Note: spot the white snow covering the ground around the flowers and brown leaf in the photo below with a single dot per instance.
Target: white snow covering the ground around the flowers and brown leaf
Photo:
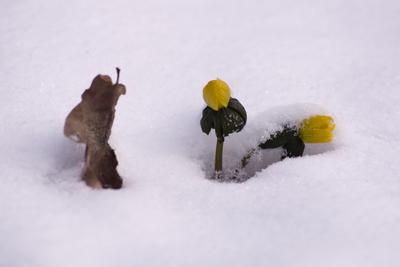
(338, 208)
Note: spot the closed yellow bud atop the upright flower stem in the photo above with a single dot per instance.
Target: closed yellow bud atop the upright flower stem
(217, 94)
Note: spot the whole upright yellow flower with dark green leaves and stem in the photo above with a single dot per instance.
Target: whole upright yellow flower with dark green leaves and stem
(224, 114)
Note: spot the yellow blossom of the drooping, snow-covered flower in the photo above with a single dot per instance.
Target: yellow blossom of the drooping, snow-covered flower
(317, 129)
